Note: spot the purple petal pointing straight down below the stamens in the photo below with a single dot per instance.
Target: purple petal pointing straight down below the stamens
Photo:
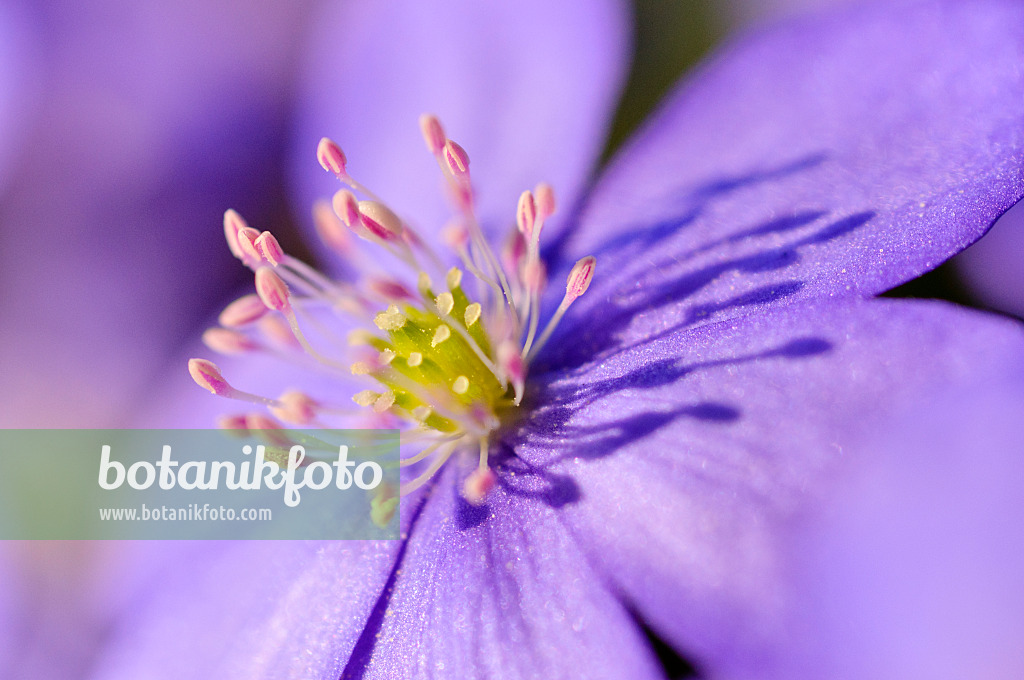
(500, 591)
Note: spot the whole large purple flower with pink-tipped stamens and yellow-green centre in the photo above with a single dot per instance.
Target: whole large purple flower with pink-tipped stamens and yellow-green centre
(661, 414)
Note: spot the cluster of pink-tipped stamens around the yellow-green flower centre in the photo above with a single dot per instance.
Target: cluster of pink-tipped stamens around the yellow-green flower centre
(450, 369)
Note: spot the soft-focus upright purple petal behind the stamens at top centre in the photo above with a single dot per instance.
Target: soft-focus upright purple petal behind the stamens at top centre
(528, 89)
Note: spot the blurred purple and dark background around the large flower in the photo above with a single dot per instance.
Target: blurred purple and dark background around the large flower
(127, 129)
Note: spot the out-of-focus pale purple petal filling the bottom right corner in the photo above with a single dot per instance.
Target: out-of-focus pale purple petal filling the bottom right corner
(915, 569)
